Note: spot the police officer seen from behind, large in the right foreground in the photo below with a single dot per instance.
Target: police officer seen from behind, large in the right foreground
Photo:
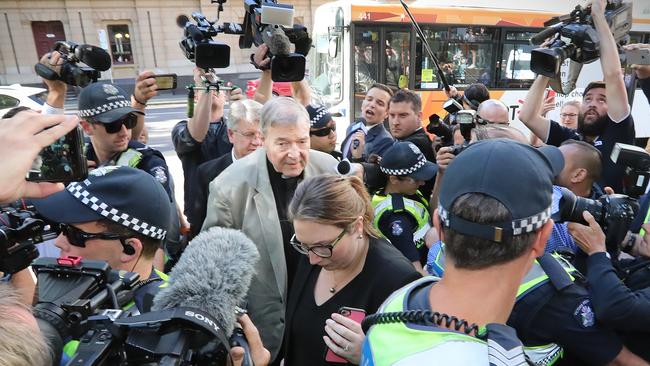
(493, 229)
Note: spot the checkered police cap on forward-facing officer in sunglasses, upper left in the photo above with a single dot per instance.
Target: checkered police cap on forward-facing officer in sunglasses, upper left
(104, 103)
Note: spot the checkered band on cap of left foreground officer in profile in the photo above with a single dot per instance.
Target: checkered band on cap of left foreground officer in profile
(106, 210)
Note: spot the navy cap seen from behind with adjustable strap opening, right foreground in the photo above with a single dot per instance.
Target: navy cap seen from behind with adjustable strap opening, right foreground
(515, 174)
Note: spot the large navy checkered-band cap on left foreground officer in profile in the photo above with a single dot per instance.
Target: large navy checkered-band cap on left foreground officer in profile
(127, 196)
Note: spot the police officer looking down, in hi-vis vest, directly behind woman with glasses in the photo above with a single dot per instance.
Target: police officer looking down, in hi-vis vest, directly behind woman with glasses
(401, 212)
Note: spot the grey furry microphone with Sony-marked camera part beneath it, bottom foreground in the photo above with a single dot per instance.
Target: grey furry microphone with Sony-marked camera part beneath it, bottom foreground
(194, 316)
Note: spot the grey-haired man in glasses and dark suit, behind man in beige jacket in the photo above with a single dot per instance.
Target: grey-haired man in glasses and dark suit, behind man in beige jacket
(245, 136)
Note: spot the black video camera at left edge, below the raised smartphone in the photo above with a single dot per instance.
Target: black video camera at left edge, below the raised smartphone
(20, 230)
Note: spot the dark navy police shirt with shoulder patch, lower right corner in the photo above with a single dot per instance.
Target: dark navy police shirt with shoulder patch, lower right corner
(568, 319)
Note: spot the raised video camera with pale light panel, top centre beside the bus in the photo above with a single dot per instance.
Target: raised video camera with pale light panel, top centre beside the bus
(271, 23)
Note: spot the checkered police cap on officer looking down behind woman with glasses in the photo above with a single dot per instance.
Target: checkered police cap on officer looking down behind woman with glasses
(404, 159)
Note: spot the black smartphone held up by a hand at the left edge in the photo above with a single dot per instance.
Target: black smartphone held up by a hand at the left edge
(62, 161)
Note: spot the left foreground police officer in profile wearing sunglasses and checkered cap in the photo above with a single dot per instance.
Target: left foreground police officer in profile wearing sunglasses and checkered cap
(119, 215)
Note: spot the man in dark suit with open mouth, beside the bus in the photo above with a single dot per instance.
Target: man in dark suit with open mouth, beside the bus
(371, 134)
